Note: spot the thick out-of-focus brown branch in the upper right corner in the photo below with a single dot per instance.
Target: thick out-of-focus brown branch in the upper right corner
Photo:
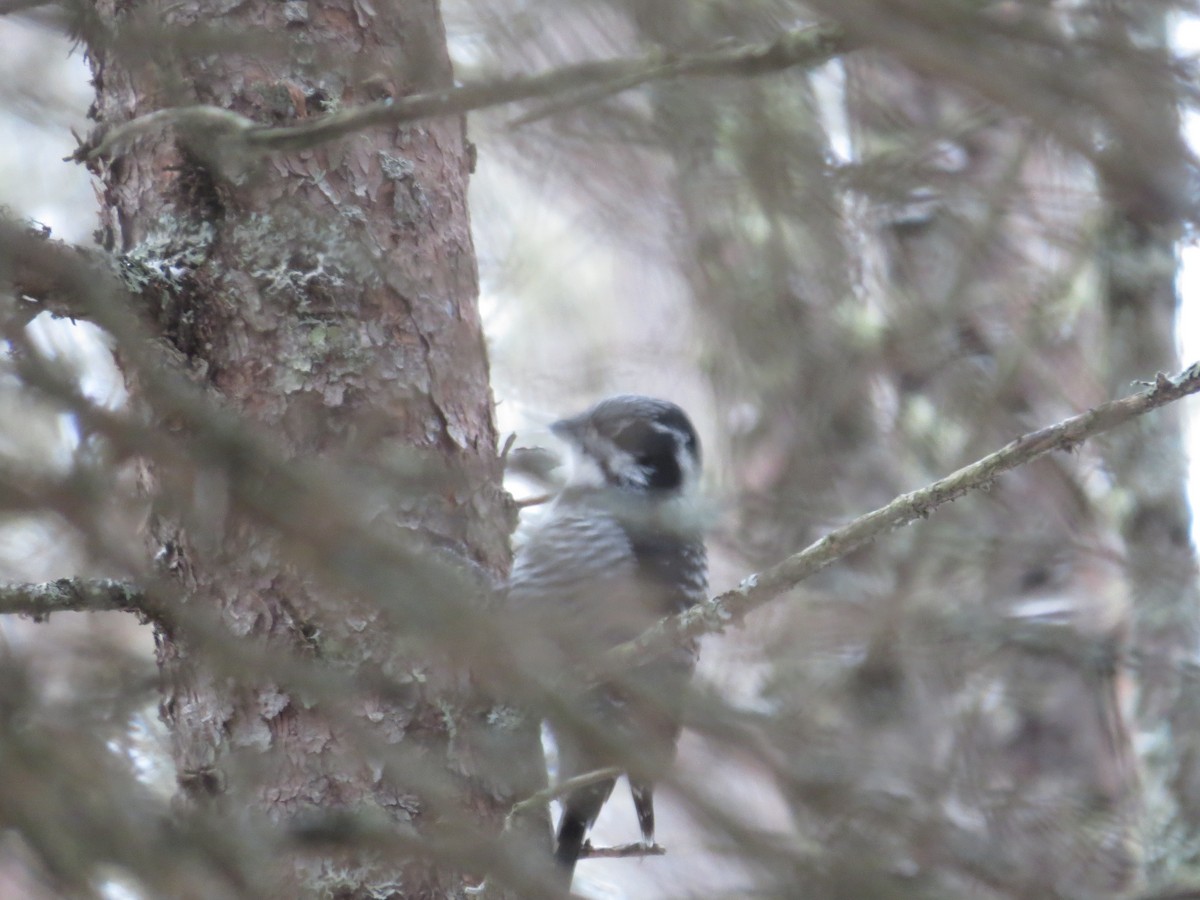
(1101, 95)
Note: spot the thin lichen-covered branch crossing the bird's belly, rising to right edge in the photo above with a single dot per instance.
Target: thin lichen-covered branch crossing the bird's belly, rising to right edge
(759, 590)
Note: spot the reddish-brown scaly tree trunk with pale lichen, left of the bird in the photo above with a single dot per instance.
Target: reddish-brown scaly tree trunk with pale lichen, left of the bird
(329, 298)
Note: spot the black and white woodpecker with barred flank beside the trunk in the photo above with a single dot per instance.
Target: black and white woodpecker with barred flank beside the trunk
(619, 549)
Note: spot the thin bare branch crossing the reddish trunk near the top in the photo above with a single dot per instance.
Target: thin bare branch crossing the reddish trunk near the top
(807, 47)
